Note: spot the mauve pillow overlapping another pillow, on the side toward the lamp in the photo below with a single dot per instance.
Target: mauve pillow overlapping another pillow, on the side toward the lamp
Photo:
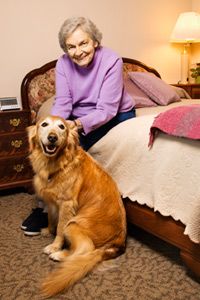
(159, 91)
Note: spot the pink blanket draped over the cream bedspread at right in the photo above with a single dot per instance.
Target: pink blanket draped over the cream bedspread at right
(182, 121)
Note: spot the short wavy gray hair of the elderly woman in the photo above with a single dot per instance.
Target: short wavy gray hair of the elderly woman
(71, 24)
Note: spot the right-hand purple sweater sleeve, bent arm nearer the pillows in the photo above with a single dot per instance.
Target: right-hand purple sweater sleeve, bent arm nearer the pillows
(109, 99)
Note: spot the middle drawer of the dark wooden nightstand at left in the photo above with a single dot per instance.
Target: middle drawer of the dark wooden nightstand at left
(15, 143)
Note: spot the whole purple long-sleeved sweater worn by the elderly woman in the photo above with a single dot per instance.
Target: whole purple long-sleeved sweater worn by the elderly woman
(94, 94)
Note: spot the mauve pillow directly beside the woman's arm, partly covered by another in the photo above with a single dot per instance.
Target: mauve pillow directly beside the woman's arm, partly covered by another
(140, 99)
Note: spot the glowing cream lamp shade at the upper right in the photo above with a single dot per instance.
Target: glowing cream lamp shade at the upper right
(187, 28)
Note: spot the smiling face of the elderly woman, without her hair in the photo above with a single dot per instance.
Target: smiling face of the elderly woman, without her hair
(80, 47)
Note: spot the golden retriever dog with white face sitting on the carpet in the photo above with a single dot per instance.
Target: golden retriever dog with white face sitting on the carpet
(84, 205)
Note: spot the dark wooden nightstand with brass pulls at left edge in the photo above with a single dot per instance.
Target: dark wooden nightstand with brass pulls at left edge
(15, 169)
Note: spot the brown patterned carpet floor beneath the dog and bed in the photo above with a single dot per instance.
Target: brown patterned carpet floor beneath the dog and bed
(150, 269)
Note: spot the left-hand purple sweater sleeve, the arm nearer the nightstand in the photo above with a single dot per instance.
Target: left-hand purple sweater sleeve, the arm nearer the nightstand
(62, 106)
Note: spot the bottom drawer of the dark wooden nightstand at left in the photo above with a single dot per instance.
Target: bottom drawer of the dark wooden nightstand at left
(15, 169)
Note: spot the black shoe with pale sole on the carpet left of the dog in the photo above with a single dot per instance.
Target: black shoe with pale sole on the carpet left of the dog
(35, 222)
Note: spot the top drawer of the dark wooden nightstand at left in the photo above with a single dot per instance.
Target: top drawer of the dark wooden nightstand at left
(11, 121)
